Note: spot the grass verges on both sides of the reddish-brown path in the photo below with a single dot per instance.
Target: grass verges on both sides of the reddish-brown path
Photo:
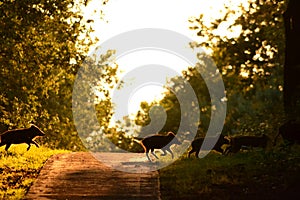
(246, 175)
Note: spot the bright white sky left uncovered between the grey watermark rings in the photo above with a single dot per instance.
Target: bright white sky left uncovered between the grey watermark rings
(125, 15)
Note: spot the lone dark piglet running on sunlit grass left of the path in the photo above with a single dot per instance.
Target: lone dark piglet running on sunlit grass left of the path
(18, 136)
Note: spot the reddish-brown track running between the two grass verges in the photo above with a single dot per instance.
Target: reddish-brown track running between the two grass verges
(80, 176)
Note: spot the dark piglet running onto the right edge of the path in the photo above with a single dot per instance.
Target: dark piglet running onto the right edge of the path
(159, 142)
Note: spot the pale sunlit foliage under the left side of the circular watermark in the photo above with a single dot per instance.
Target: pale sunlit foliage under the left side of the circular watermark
(92, 95)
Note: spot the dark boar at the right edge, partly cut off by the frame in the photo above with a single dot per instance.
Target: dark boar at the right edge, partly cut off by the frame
(290, 132)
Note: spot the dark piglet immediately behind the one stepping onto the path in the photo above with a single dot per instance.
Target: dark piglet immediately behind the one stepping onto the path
(197, 143)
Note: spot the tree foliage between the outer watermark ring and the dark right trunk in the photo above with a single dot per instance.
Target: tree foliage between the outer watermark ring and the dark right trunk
(251, 65)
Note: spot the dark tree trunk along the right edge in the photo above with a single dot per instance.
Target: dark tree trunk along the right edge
(292, 60)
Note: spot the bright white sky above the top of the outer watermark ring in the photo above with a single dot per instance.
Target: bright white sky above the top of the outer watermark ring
(125, 15)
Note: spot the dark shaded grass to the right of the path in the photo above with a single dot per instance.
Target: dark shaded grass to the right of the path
(245, 175)
